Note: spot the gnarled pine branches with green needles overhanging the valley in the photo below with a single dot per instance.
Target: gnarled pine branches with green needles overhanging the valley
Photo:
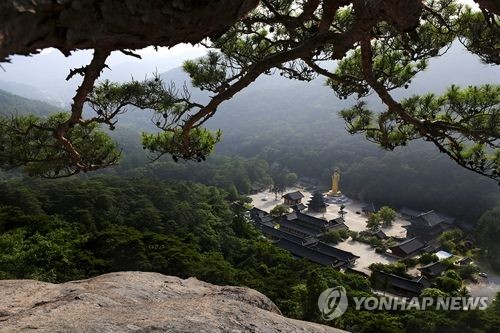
(379, 46)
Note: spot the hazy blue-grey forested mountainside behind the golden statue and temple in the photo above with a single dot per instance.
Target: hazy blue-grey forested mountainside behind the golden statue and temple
(296, 123)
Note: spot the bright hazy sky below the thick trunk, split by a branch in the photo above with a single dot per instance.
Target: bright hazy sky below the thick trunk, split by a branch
(46, 73)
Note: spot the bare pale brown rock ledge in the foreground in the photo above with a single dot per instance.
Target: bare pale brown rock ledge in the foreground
(141, 302)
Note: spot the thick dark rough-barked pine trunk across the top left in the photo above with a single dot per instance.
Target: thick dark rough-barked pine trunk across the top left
(27, 26)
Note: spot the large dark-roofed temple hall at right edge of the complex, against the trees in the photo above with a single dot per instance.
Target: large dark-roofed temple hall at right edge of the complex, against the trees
(426, 226)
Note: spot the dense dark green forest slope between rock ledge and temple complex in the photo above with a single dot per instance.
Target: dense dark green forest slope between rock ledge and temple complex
(72, 229)
